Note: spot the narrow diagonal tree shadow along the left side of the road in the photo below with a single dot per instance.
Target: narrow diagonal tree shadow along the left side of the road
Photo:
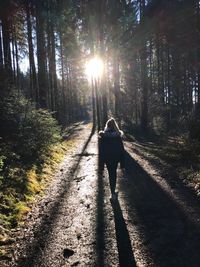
(44, 229)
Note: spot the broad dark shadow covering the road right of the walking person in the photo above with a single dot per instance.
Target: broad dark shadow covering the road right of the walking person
(167, 232)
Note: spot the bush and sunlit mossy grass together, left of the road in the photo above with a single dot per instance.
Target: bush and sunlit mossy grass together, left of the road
(31, 146)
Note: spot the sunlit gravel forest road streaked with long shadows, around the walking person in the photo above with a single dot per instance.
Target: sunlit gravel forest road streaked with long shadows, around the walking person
(153, 223)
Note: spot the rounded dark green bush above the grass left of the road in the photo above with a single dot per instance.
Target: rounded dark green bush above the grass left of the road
(30, 131)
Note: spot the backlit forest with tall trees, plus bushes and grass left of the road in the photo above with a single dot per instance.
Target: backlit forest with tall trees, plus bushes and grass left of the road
(150, 83)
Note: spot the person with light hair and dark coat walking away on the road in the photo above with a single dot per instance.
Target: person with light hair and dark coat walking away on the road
(111, 152)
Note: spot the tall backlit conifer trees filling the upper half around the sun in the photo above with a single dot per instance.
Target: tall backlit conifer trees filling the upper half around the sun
(150, 51)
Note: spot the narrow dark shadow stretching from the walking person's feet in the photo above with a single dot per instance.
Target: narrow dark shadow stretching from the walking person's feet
(126, 257)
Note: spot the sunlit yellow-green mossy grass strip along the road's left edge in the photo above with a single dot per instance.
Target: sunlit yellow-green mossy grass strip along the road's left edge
(24, 183)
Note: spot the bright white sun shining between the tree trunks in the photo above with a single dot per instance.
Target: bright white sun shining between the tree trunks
(94, 68)
